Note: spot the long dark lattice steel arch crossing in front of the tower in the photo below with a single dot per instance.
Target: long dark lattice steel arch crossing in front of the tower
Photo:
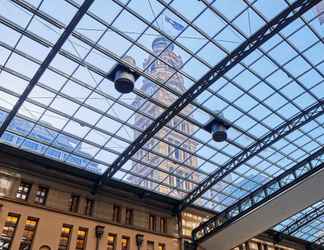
(286, 17)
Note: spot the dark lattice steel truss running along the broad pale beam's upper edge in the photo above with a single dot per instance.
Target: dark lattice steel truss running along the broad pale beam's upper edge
(260, 197)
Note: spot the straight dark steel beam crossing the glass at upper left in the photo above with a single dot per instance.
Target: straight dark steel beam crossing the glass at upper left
(49, 58)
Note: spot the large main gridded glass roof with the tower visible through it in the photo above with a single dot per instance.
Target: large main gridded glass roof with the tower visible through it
(75, 115)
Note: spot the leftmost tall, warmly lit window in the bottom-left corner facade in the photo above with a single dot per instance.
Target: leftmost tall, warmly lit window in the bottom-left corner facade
(8, 231)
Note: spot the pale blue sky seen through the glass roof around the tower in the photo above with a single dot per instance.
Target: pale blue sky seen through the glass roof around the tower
(271, 85)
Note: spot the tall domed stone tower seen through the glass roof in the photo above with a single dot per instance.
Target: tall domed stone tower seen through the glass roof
(177, 156)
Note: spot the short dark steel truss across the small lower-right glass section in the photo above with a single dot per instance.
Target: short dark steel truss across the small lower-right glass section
(304, 220)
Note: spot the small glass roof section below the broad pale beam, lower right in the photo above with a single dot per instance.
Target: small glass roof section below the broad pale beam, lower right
(312, 231)
